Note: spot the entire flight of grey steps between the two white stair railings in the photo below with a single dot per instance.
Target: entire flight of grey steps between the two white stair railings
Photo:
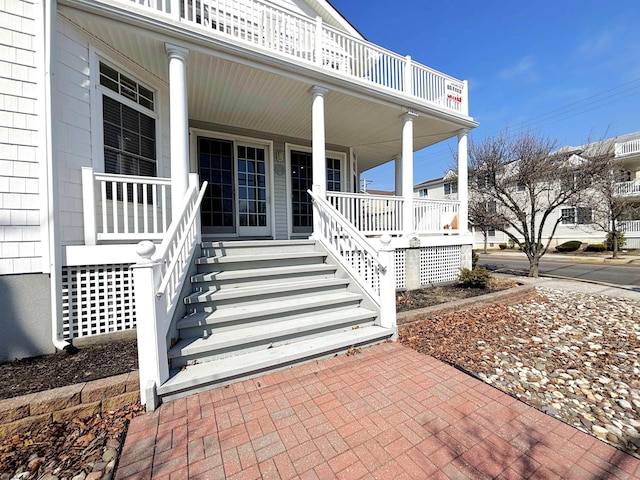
(259, 306)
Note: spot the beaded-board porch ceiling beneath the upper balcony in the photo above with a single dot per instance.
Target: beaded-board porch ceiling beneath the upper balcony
(271, 97)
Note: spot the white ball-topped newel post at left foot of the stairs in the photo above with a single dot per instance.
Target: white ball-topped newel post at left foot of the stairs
(153, 362)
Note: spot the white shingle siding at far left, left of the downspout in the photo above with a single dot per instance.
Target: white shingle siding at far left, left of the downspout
(19, 170)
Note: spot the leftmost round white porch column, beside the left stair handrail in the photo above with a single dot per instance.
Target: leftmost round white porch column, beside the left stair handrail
(179, 123)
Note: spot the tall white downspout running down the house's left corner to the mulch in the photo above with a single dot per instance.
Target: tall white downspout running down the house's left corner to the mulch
(55, 270)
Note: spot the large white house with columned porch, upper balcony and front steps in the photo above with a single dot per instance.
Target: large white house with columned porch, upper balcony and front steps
(115, 113)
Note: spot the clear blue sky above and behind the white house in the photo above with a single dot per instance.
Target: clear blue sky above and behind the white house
(567, 69)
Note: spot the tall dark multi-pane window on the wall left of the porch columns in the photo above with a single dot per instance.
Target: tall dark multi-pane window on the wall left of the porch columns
(129, 125)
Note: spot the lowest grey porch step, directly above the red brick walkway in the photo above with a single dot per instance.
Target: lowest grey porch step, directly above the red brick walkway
(204, 376)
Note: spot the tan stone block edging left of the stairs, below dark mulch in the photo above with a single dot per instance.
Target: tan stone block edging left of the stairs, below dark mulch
(20, 414)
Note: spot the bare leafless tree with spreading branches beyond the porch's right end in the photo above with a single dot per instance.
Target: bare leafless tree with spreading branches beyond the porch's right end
(518, 183)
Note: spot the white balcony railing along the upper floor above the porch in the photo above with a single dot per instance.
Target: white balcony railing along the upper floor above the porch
(284, 32)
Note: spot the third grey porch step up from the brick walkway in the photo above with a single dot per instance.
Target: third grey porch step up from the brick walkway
(203, 322)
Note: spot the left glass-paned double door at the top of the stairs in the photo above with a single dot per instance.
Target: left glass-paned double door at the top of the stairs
(236, 199)
